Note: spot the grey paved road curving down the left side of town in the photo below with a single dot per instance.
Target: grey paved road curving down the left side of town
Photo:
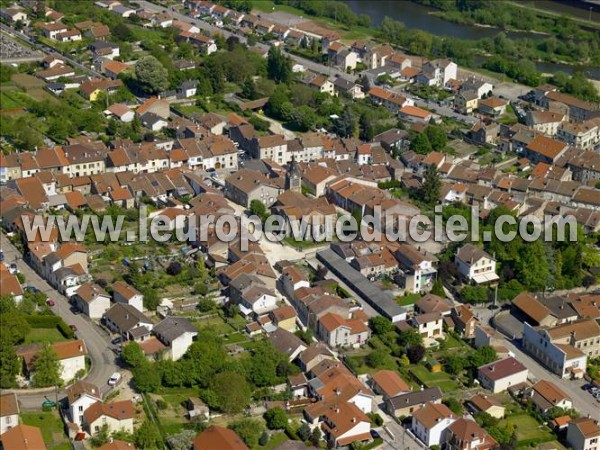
(97, 343)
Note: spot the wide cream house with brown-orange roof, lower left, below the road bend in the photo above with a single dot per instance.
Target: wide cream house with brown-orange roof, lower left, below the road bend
(117, 416)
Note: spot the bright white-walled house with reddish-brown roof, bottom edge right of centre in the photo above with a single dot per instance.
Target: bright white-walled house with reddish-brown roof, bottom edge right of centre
(430, 422)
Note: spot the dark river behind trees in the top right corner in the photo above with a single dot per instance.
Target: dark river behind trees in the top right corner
(416, 16)
